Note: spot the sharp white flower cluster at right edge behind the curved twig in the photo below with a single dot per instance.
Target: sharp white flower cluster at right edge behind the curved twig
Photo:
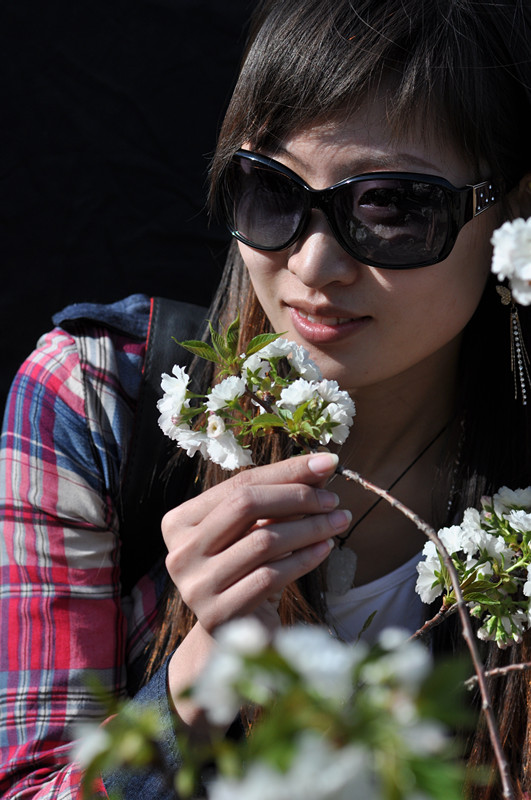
(491, 551)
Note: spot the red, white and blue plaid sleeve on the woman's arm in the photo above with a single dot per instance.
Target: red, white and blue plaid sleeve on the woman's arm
(65, 436)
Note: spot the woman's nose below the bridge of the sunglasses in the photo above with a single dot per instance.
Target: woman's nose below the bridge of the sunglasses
(318, 259)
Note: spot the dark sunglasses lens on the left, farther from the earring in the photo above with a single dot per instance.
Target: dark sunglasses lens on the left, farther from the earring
(264, 207)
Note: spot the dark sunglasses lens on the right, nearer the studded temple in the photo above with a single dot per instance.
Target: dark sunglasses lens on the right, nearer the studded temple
(393, 222)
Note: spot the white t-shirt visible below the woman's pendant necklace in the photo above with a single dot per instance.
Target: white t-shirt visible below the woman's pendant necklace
(393, 597)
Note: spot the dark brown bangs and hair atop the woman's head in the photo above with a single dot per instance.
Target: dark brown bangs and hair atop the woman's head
(311, 61)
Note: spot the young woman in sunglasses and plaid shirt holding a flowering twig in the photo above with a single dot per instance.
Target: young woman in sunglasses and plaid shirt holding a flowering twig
(417, 114)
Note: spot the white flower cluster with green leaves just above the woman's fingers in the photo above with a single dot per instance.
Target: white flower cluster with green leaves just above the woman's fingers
(284, 390)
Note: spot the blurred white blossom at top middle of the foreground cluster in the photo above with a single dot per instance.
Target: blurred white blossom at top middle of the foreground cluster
(324, 662)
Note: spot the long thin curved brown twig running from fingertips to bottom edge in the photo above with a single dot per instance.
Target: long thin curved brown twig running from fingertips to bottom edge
(468, 633)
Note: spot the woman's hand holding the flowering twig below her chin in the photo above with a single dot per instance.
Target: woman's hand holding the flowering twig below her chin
(239, 544)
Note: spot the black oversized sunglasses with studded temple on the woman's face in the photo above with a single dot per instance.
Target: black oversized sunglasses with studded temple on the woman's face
(395, 220)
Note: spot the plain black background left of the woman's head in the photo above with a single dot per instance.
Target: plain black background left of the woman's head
(109, 112)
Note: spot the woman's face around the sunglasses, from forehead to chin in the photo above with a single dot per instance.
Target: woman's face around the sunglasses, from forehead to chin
(365, 325)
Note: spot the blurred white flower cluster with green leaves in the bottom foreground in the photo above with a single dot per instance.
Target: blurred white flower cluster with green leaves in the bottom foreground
(337, 721)
